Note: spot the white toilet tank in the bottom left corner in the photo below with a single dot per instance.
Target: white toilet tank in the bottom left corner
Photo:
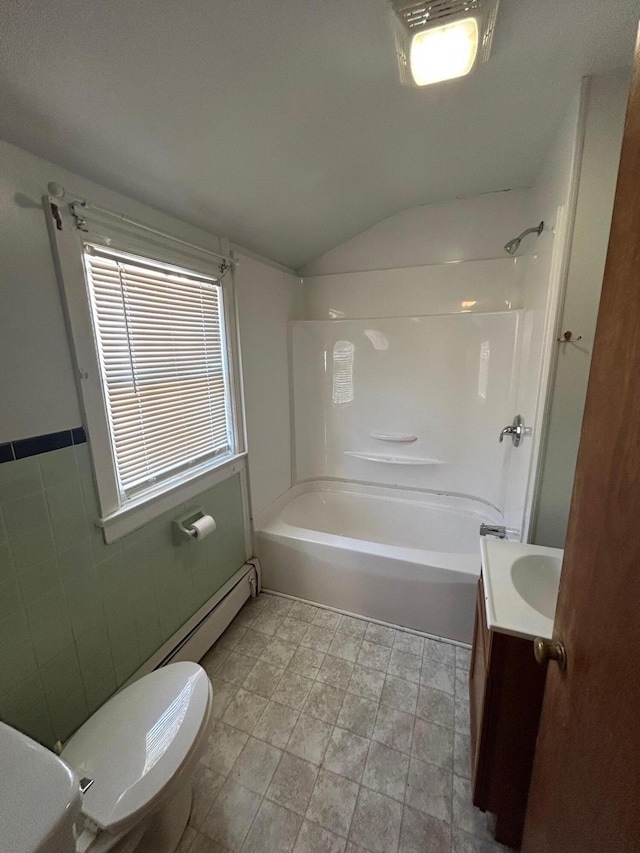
(39, 797)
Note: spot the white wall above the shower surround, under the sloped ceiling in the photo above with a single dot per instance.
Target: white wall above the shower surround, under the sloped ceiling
(464, 229)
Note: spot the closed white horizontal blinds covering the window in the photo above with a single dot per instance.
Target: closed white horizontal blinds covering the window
(161, 345)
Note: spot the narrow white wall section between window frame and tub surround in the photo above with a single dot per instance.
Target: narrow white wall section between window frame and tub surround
(267, 299)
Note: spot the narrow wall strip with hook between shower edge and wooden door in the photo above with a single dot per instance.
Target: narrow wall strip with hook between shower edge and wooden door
(605, 113)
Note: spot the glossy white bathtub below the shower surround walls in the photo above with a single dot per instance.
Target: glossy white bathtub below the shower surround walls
(403, 557)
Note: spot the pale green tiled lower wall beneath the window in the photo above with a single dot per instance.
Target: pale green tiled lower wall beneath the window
(78, 617)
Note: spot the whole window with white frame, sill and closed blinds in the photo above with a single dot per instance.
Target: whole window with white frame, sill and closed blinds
(156, 369)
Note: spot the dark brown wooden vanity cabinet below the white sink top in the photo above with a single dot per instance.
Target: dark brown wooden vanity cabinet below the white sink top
(506, 686)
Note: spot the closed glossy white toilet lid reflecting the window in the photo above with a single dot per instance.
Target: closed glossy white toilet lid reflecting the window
(136, 742)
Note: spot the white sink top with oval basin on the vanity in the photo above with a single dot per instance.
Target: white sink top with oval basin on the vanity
(521, 586)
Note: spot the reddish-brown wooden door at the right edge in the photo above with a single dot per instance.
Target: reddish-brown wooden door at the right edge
(585, 790)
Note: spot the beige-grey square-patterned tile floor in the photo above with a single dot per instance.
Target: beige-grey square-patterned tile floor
(334, 735)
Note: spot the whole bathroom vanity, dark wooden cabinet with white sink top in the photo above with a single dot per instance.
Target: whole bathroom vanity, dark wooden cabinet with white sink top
(515, 604)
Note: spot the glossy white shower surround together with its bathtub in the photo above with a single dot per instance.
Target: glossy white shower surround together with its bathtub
(402, 381)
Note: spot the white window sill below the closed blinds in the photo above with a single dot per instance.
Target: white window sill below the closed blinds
(146, 509)
